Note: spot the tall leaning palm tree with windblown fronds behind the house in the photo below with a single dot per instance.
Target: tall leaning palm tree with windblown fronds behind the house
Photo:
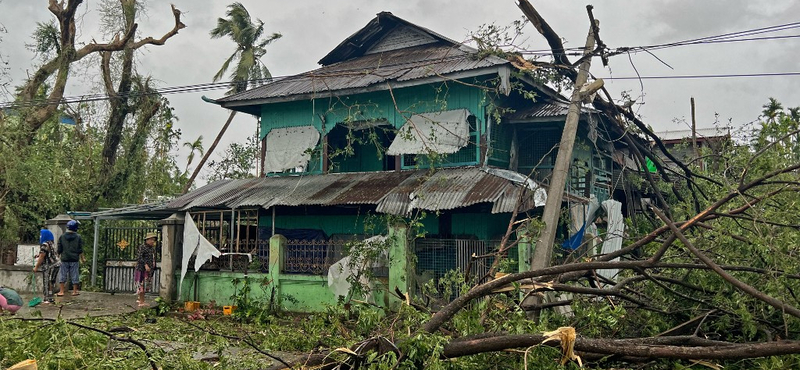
(250, 70)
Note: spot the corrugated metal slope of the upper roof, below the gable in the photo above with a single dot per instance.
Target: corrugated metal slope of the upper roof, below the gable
(368, 70)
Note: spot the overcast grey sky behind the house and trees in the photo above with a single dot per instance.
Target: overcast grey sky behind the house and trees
(312, 28)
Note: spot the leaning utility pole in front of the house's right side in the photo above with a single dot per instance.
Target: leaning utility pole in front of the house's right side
(544, 246)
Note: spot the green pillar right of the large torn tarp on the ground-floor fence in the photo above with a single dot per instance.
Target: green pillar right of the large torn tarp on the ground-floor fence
(400, 266)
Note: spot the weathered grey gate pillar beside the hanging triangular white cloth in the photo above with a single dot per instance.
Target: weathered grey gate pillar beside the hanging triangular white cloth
(171, 245)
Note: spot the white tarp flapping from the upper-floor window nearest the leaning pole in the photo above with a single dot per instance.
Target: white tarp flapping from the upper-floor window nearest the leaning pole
(441, 132)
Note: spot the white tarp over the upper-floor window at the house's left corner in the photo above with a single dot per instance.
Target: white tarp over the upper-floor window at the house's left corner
(288, 147)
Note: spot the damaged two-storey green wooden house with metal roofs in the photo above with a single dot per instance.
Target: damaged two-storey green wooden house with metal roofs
(400, 132)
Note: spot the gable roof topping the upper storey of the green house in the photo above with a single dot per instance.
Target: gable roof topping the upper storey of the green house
(388, 50)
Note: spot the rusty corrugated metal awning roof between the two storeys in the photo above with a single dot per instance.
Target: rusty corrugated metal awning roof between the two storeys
(391, 192)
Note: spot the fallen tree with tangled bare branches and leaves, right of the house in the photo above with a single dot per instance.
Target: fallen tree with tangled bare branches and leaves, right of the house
(710, 277)
